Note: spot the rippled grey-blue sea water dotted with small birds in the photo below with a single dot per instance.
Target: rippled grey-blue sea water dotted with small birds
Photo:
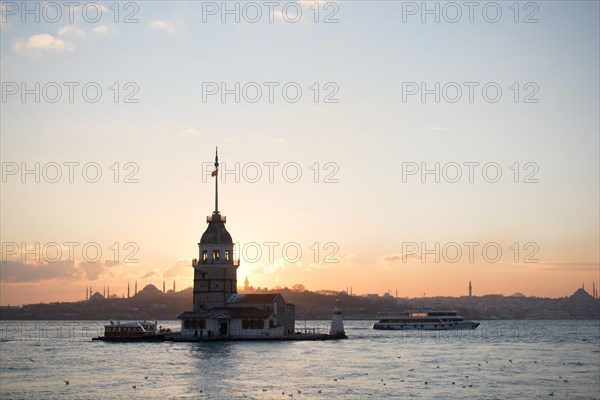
(499, 360)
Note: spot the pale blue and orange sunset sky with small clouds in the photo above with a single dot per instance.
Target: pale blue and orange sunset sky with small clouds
(381, 146)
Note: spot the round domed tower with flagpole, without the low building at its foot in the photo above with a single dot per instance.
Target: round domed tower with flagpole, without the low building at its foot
(215, 272)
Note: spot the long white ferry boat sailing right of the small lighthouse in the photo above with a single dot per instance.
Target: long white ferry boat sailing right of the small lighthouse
(427, 319)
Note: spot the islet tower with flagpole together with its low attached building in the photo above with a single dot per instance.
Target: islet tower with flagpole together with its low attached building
(218, 310)
